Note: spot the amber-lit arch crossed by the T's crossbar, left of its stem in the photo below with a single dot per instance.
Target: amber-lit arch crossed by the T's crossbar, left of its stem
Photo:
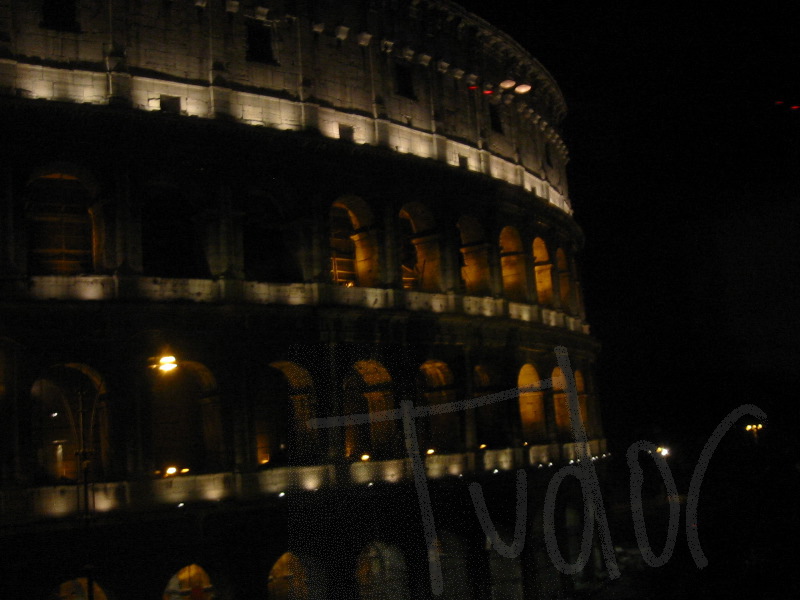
(368, 390)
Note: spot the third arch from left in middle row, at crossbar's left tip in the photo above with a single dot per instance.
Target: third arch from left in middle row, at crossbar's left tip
(285, 404)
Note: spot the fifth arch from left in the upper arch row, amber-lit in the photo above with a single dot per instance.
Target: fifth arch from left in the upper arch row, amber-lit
(420, 256)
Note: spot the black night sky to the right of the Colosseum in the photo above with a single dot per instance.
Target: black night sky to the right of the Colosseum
(684, 177)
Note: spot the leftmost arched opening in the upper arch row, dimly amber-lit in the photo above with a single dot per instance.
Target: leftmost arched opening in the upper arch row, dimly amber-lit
(60, 225)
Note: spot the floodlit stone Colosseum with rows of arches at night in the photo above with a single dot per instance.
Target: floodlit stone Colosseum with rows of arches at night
(226, 223)
